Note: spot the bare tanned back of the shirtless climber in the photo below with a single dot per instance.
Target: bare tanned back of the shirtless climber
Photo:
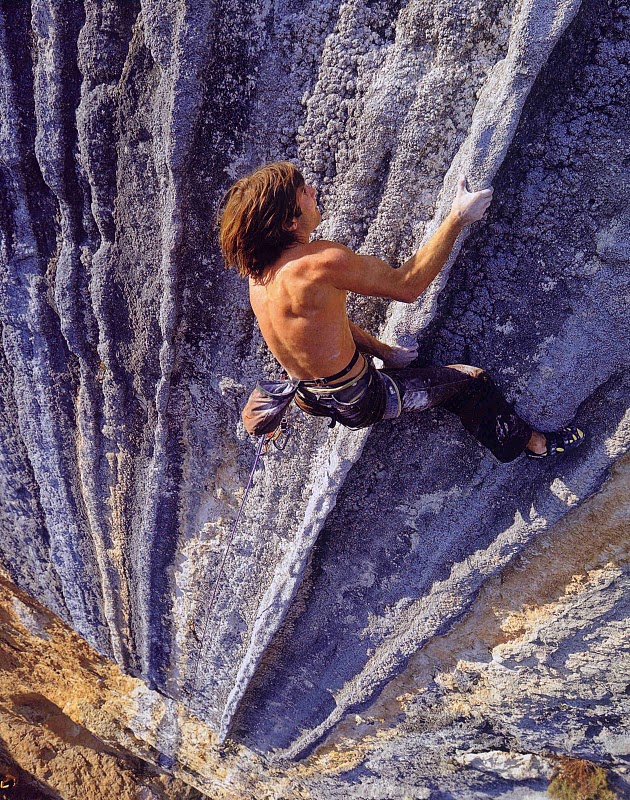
(302, 315)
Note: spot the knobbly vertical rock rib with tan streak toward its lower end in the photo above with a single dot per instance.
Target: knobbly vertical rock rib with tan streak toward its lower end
(106, 449)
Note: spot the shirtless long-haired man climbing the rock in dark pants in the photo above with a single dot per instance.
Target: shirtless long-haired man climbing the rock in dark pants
(298, 291)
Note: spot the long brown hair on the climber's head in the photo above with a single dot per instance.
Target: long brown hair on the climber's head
(254, 214)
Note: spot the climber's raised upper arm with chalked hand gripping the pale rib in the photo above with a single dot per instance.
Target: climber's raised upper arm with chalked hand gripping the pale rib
(372, 276)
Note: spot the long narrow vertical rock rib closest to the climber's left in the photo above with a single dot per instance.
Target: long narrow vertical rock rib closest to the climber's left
(177, 102)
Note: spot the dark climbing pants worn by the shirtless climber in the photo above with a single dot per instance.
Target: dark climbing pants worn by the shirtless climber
(466, 391)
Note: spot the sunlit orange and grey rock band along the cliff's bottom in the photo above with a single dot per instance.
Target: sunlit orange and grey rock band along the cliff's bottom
(535, 669)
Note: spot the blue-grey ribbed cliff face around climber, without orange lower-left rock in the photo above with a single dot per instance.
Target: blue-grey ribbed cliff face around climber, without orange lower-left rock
(127, 352)
